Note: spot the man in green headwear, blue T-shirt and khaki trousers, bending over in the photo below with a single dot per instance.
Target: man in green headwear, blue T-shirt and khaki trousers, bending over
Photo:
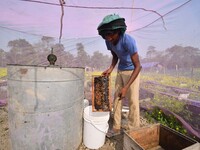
(123, 49)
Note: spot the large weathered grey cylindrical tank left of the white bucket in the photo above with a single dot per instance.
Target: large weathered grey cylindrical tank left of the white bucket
(45, 107)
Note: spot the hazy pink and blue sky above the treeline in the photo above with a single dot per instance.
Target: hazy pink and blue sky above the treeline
(32, 19)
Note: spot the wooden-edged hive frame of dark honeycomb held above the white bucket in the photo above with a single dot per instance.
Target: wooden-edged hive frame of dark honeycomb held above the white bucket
(101, 93)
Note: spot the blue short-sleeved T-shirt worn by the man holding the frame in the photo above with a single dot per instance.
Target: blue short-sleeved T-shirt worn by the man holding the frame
(124, 49)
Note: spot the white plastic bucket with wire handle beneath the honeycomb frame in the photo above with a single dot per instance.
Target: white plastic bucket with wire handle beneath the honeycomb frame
(95, 128)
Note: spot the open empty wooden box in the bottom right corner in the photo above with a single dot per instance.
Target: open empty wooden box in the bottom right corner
(158, 137)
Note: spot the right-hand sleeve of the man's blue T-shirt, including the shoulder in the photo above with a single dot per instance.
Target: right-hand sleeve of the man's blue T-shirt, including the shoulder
(130, 44)
